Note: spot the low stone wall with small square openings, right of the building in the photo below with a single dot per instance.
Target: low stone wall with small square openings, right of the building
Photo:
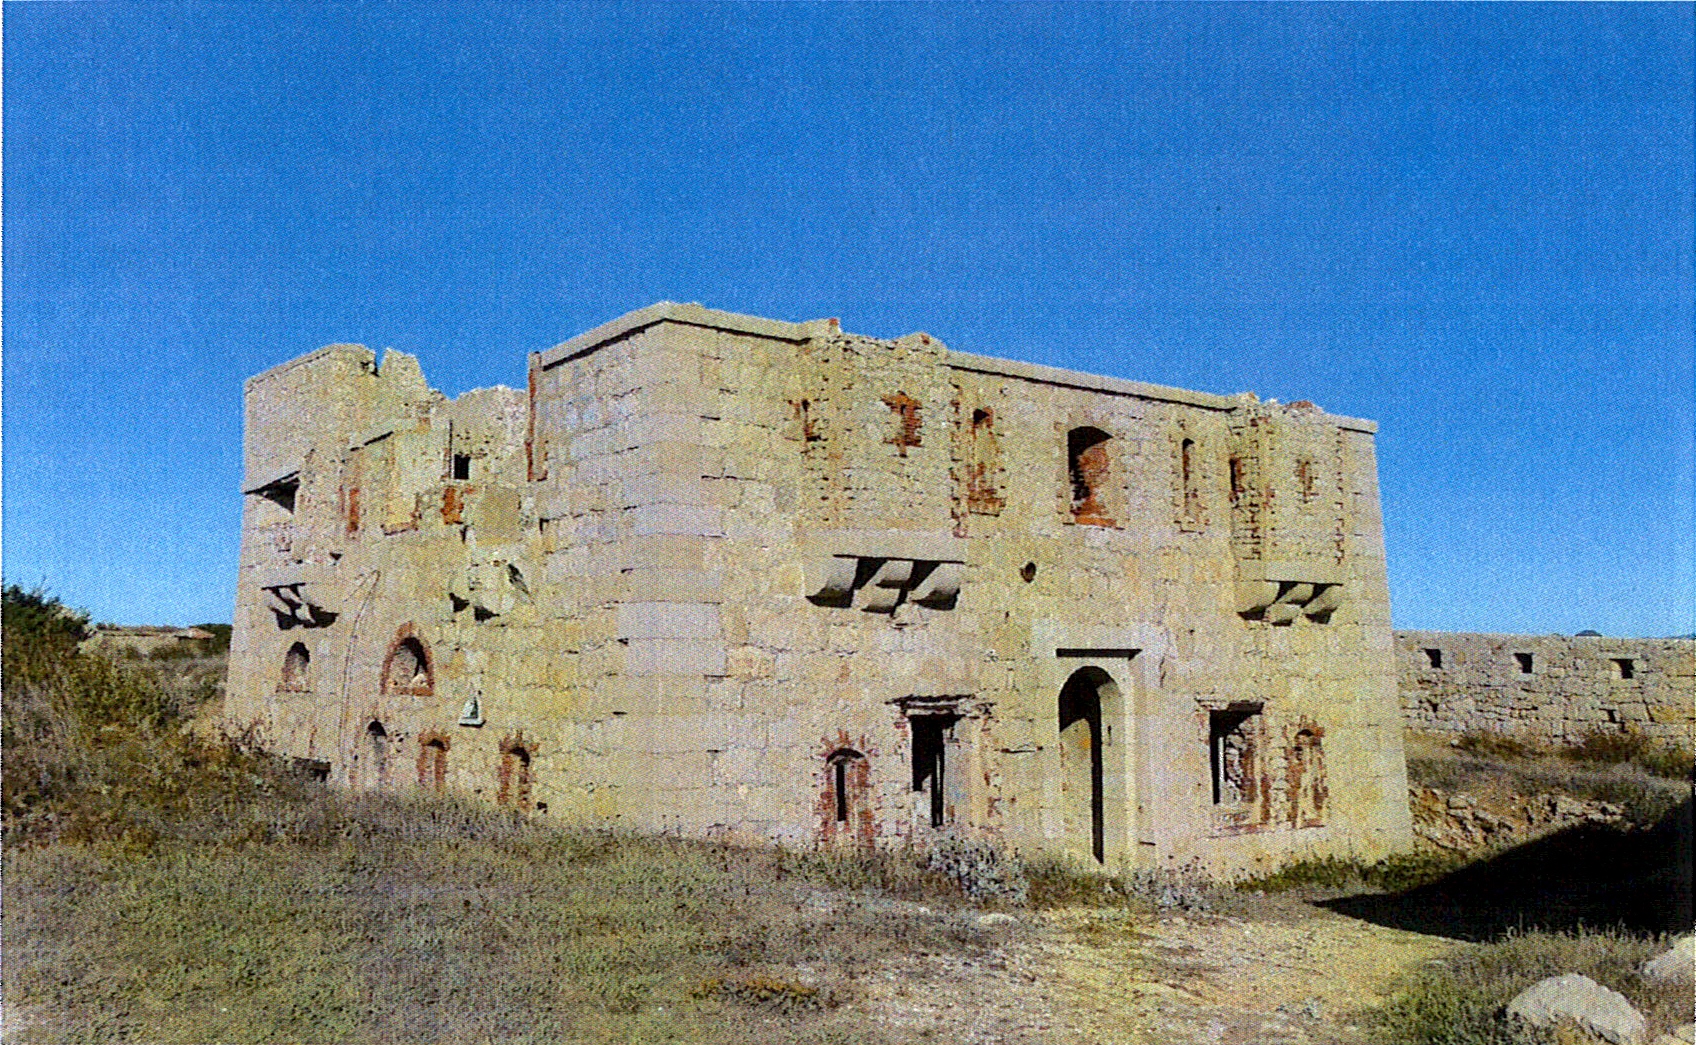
(1548, 688)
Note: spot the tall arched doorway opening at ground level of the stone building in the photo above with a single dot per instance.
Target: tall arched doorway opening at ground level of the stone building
(1086, 712)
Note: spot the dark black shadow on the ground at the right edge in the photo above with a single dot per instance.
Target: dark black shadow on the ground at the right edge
(1592, 876)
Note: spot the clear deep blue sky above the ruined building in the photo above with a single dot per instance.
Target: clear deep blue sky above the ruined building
(1470, 223)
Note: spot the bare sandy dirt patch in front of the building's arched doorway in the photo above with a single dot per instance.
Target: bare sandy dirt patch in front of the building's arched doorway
(1269, 975)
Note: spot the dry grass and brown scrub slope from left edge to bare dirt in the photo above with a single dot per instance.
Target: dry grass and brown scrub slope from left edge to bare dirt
(160, 888)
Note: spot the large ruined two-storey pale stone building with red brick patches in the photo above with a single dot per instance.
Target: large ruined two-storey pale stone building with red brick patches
(764, 581)
